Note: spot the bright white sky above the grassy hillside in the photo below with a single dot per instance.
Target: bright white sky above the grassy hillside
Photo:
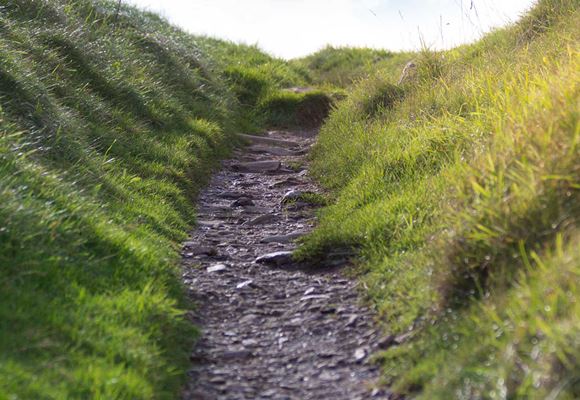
(295, 28)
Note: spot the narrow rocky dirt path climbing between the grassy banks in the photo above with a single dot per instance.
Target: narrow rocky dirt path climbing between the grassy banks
(272, 329)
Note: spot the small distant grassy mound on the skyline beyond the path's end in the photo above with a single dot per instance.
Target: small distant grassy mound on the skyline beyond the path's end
(343, 66)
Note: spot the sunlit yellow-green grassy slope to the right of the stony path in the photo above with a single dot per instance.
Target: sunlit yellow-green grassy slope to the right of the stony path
(461, 192)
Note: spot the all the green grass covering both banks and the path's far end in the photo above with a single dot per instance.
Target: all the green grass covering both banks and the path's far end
(458, 189)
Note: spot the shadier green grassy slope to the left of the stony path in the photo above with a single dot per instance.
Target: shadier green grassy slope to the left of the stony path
(108, 128)
